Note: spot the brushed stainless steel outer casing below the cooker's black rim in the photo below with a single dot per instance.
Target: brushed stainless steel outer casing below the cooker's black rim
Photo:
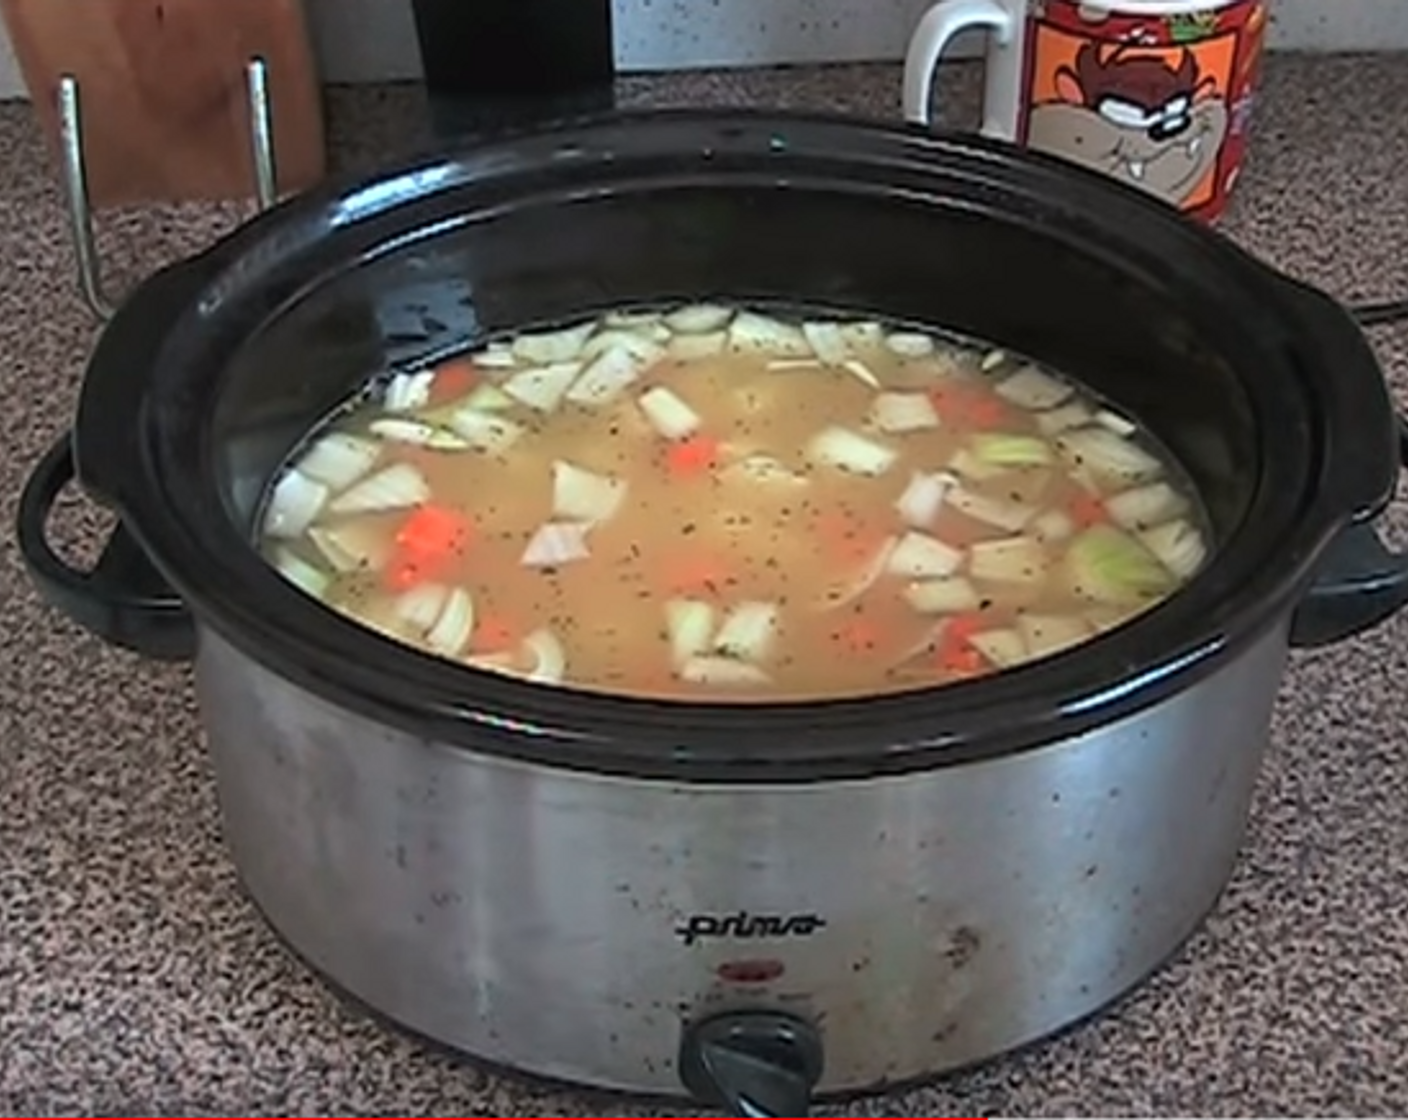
(572, 925)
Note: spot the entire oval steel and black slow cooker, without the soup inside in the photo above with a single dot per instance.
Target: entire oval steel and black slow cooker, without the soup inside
(746, 904)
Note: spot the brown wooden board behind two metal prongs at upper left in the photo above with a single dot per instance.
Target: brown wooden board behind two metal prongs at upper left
(163, 91)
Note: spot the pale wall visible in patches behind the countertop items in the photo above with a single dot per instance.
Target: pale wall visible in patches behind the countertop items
(375, 40)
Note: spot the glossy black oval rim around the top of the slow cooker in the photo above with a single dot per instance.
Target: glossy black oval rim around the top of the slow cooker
(1241, 597)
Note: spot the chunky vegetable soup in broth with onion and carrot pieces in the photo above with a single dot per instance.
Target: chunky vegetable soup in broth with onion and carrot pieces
(717, 504)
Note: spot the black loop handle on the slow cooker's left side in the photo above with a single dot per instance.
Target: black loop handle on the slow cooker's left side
(122, 599)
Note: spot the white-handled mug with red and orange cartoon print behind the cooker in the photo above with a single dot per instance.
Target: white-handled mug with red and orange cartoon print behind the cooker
(1157, 94)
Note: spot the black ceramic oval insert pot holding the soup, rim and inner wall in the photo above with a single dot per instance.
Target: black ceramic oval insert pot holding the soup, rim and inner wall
(1265, 390)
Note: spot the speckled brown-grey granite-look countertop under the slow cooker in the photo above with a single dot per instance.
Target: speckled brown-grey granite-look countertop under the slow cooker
(137, 980)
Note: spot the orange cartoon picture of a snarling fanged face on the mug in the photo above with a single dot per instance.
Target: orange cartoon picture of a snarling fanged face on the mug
(1152, 116)
